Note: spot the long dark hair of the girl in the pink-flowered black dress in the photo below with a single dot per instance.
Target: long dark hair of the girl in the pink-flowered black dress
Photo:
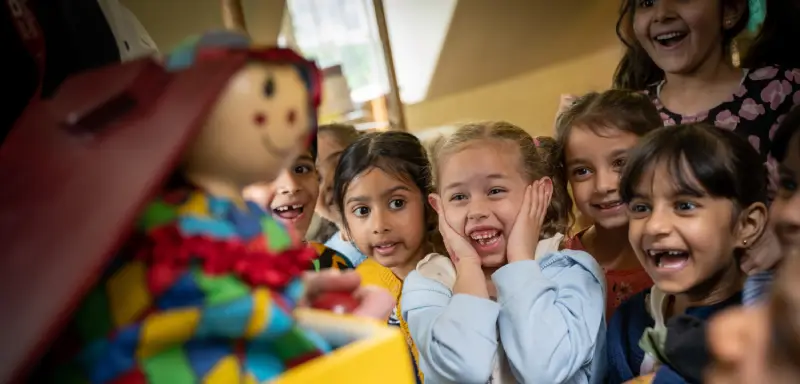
(636, 70)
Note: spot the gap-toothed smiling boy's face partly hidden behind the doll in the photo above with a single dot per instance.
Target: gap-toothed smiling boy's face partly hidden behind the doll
(292, 196)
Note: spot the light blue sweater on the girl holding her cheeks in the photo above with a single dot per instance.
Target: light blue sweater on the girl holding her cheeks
(549, 317)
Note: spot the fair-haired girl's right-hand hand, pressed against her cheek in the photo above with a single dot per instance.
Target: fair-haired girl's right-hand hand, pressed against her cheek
(525, 233)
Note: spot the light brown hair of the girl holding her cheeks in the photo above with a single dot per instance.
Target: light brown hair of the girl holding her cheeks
(534, 165)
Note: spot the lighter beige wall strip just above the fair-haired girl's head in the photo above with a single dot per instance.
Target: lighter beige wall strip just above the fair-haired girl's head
(529, 100)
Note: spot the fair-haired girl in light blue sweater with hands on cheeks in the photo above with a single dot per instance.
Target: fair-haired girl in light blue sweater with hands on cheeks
(505, 309)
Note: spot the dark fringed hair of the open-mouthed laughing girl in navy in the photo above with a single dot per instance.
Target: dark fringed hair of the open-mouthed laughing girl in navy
(702, 160)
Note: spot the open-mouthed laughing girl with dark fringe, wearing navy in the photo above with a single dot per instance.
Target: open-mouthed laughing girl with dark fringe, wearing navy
(696, 198)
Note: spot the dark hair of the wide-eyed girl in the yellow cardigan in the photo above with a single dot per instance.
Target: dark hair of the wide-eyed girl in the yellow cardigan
(397, 153)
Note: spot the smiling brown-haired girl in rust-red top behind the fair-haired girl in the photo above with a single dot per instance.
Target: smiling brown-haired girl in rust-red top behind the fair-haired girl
(594, 136)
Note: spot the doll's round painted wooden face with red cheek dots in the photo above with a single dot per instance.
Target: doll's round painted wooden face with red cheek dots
(257, 128)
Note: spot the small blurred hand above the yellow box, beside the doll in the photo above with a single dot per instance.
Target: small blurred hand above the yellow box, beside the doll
(374, 302)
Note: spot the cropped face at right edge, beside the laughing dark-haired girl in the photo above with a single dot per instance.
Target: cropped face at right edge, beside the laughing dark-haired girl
(785, 210)
